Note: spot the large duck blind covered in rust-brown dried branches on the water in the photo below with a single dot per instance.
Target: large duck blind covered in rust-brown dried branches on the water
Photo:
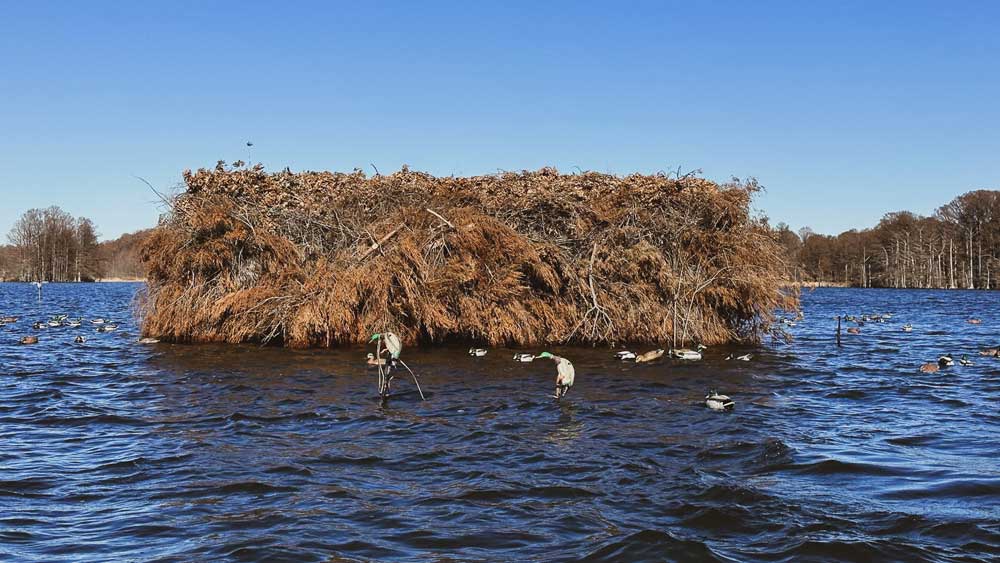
(319, 259)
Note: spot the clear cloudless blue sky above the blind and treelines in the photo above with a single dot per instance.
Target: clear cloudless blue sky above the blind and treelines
(843, 110)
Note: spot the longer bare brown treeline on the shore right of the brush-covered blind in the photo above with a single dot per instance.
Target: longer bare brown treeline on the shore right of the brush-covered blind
(956, 247)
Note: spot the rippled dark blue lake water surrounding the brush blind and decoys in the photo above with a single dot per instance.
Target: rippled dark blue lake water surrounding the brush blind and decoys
(114, 450)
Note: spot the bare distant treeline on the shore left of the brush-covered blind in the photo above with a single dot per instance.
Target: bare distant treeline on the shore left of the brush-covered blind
(51, 245)
